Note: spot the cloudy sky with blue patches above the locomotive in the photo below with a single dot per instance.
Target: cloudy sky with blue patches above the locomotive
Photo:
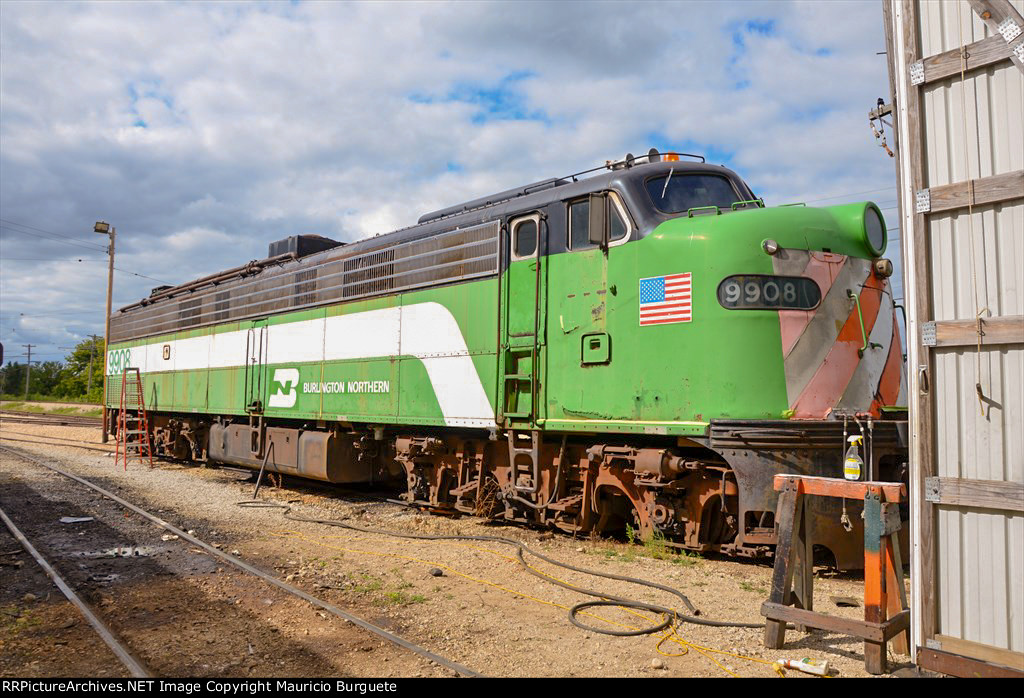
(204, 132)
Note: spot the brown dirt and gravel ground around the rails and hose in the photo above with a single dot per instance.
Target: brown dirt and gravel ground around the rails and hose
(187, 615)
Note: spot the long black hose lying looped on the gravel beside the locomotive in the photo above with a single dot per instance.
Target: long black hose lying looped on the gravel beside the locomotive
(605, 599)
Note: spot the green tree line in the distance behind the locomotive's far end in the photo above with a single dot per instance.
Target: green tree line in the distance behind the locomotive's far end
(79, 377)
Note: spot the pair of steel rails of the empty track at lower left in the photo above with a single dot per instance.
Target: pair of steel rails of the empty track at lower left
(124, 653)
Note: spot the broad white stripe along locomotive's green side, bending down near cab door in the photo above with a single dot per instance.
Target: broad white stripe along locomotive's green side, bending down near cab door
(426, 332)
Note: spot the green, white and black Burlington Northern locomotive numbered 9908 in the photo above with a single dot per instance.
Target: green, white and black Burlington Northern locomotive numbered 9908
(648, 345)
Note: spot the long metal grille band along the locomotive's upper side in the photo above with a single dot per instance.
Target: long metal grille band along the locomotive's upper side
(446, 258)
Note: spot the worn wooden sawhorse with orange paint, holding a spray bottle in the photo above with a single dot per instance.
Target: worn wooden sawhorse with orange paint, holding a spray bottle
(884, 592)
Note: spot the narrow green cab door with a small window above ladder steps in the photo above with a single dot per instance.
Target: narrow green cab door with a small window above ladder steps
(523, 323)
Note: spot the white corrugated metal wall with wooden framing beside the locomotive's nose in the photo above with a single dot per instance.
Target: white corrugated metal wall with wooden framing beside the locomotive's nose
(959, 103)
